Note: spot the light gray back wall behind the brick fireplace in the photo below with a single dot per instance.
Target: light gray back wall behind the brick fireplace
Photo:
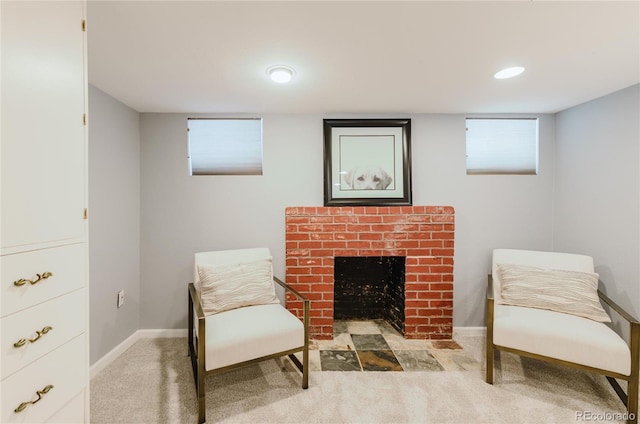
(182, 215)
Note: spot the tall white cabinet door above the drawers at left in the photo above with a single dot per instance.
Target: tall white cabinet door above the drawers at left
(43, 131)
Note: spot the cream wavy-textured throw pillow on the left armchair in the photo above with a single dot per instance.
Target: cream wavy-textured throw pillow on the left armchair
(224, 287)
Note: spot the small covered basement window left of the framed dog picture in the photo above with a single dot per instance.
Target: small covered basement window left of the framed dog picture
(222, 146)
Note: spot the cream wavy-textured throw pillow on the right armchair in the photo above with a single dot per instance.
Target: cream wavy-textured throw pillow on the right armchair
(570, 292)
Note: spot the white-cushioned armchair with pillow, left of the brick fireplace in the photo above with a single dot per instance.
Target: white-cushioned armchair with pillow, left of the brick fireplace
(235, 318)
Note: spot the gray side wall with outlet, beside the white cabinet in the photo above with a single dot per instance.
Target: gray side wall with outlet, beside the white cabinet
(114, 221)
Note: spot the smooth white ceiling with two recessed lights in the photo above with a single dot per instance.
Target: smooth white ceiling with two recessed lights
(362, 57)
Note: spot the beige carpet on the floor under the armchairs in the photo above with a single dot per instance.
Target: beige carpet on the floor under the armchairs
(152, 382)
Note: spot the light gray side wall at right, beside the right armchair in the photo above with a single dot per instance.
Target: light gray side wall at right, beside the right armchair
(597, 190)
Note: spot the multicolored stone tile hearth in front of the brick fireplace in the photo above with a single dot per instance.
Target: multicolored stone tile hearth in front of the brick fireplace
(374, 345)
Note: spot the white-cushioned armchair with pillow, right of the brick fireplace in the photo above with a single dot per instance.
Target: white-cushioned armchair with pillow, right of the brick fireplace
(552, 312)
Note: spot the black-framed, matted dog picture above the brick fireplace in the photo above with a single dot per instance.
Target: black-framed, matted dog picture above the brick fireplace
(367, 162)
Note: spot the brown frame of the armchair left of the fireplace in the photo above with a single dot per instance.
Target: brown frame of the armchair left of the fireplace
(197, 346)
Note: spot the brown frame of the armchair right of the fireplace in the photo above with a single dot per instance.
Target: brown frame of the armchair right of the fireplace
(630, 398)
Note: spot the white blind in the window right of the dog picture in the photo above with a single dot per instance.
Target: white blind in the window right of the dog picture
(502, 146)
